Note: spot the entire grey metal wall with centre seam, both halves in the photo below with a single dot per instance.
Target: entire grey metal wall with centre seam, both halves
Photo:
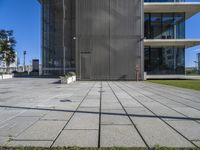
(110, 30)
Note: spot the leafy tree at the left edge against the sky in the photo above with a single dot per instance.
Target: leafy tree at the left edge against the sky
(7, 44)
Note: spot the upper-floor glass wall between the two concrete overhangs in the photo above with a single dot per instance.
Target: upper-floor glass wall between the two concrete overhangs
(164, 25)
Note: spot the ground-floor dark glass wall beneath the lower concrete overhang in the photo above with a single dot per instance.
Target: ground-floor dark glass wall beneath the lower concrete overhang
(169, 60)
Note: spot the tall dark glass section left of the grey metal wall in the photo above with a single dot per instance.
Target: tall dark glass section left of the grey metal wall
(57, 40)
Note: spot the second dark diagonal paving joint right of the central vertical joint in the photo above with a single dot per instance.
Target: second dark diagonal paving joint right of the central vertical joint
(158, 116)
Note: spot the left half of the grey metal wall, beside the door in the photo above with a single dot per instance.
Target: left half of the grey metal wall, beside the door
(92, 33)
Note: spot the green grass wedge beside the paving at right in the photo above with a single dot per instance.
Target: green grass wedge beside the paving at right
(188, 84)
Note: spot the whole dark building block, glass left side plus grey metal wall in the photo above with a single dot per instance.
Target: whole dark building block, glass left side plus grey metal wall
(109, 31)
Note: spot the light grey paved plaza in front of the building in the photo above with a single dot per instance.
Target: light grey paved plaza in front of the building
(42, 112)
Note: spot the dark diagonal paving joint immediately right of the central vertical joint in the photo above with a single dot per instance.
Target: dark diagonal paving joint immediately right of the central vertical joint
(129, 118)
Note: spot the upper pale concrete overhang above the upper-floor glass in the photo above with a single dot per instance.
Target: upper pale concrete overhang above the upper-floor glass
(190, 8)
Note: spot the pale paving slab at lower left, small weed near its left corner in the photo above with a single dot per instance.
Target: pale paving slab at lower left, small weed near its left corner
(42, 130)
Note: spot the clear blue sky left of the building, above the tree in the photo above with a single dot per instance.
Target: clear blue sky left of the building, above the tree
(23, 16)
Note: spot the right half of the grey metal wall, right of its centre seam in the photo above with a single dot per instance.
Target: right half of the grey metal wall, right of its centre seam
(125, 30)
